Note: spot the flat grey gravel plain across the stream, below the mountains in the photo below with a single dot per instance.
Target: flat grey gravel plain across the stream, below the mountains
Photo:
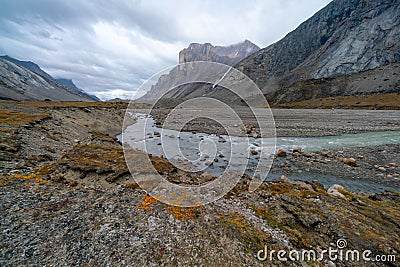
(288, 122)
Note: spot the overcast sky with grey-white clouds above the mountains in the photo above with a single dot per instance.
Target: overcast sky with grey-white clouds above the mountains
(111, 47)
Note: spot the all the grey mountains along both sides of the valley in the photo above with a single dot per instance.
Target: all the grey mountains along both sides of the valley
(348, 48)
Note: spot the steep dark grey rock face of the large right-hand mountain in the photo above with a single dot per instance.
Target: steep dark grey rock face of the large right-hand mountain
(345, 37)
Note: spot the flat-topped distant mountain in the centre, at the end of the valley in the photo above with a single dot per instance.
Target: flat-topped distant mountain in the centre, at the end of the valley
(228, 55)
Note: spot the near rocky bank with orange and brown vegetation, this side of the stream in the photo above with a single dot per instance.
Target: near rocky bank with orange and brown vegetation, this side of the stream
(67, 198)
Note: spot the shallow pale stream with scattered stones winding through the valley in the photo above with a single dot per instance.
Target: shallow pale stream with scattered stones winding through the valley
(216, 154)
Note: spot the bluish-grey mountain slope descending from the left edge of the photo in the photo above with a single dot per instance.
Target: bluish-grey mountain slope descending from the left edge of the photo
(25, 80)
